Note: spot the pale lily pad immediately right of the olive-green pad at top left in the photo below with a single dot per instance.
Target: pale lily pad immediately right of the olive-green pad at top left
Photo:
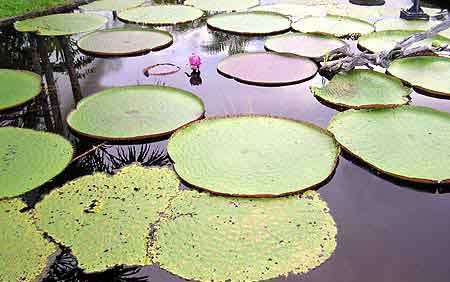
(161, 15)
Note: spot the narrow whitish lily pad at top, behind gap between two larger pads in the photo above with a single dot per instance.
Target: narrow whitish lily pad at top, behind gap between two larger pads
(299, 11)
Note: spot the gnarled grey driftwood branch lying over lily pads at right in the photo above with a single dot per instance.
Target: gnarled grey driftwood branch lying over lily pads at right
(352, 59)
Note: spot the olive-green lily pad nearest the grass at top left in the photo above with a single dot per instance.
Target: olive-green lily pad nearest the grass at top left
(61, 24)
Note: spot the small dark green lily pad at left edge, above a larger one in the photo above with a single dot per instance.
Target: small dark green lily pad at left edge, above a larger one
(18, 87)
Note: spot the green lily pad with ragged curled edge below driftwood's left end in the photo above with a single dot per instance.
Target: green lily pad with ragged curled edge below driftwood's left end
(360, 89)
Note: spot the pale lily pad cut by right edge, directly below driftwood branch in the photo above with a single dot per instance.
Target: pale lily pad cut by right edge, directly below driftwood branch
(430, 73)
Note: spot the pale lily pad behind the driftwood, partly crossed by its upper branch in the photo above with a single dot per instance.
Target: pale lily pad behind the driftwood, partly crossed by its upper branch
(386, 40)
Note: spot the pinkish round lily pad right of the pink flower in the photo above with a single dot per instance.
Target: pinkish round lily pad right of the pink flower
(268, 69)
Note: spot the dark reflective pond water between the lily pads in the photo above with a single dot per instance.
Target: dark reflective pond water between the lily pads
(388, 231)
